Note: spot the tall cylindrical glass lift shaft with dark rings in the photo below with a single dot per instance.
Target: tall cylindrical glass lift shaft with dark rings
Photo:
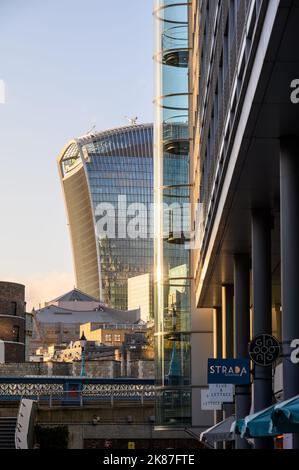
(172, 219)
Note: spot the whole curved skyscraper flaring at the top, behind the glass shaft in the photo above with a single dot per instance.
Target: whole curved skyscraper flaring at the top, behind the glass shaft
(105, 174)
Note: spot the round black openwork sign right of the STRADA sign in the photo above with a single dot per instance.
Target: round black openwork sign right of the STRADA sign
(264, 350)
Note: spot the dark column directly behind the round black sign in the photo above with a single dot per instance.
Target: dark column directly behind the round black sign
(262, 308)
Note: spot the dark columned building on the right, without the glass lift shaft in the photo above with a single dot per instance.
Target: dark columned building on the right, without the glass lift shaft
(244, 172)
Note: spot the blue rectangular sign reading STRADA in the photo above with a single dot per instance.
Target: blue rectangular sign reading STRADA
(229, 371)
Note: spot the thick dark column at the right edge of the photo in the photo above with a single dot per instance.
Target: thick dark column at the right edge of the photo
(289, 218)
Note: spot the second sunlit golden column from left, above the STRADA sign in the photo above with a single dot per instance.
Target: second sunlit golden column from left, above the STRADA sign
(227, 321)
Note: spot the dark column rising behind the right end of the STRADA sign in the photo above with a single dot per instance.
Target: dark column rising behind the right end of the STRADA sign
(242, 333)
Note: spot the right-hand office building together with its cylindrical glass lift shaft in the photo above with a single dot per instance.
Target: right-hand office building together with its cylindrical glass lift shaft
(226, 141)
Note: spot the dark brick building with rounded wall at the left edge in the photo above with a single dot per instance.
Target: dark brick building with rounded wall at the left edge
(12, 322)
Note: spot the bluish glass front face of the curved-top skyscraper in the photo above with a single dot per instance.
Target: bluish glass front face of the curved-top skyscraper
(117, 163)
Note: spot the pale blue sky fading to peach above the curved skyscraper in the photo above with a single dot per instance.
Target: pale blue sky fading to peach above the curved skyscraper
(67, 65)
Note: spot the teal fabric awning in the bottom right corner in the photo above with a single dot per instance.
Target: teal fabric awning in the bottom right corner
(278, 419)
